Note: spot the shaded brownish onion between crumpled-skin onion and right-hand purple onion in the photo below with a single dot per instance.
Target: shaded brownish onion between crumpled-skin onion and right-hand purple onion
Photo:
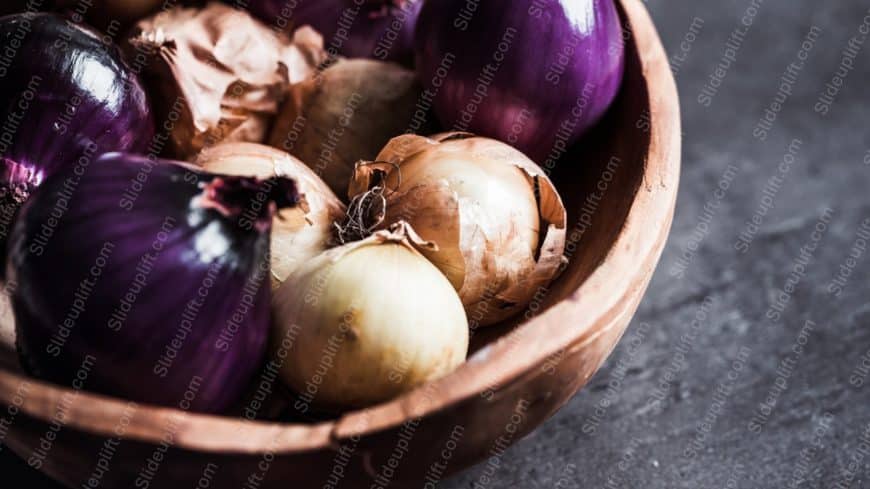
(347, 113)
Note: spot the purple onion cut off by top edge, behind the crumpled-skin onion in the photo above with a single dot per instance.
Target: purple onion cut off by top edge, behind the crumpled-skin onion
(378, 29)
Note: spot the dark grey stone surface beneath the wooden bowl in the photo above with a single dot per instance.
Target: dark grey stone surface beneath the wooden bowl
(638, 444)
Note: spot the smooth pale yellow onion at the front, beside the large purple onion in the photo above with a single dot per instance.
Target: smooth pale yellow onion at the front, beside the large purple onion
(368, 321)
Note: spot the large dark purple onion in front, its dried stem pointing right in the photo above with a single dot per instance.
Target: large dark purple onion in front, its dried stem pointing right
(162, 289)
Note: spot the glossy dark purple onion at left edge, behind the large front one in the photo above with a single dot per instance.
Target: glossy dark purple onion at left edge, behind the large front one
(64, 96)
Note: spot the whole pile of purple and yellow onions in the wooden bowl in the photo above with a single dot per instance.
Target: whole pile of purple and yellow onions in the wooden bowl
(161, 274)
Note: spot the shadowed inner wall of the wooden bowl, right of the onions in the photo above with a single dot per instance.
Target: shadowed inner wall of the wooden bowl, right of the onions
(598, 178)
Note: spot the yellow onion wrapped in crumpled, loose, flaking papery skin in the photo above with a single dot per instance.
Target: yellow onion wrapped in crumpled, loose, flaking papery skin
(219, 74)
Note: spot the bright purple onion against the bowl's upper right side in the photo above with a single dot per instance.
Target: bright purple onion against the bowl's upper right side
(535, 73)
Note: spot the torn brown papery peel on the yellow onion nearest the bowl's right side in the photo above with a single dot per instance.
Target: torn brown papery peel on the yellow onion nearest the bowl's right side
(467, 254)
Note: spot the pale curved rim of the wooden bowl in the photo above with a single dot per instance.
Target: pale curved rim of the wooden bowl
(635, 250)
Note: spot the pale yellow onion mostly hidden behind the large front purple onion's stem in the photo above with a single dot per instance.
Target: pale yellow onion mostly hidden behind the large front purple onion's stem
(299, 233)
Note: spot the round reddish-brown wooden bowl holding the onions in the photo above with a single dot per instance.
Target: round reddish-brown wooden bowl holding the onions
(619, 186)
